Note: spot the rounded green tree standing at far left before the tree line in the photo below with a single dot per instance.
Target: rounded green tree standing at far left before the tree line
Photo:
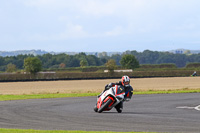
(32, 65)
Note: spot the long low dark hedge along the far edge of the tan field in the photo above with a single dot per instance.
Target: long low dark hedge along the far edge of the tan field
(92, 75)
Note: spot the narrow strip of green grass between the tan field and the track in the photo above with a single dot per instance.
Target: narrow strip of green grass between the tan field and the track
(58, 95)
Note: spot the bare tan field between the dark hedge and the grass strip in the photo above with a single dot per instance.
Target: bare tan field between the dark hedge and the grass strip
(85, 86)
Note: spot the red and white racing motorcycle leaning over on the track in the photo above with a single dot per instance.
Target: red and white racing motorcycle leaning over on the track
(110, 98)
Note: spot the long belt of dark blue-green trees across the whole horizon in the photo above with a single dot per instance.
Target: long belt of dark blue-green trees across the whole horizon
(81, 59)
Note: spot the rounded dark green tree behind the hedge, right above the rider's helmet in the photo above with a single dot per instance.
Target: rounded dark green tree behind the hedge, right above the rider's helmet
(129, 61)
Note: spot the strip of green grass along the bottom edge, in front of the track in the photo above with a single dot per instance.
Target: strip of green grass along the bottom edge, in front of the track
(2, 130)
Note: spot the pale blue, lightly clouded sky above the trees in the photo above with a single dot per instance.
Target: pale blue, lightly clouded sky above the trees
(99, 25)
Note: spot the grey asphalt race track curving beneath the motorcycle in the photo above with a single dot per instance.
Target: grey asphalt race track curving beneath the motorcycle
(156, 112)
